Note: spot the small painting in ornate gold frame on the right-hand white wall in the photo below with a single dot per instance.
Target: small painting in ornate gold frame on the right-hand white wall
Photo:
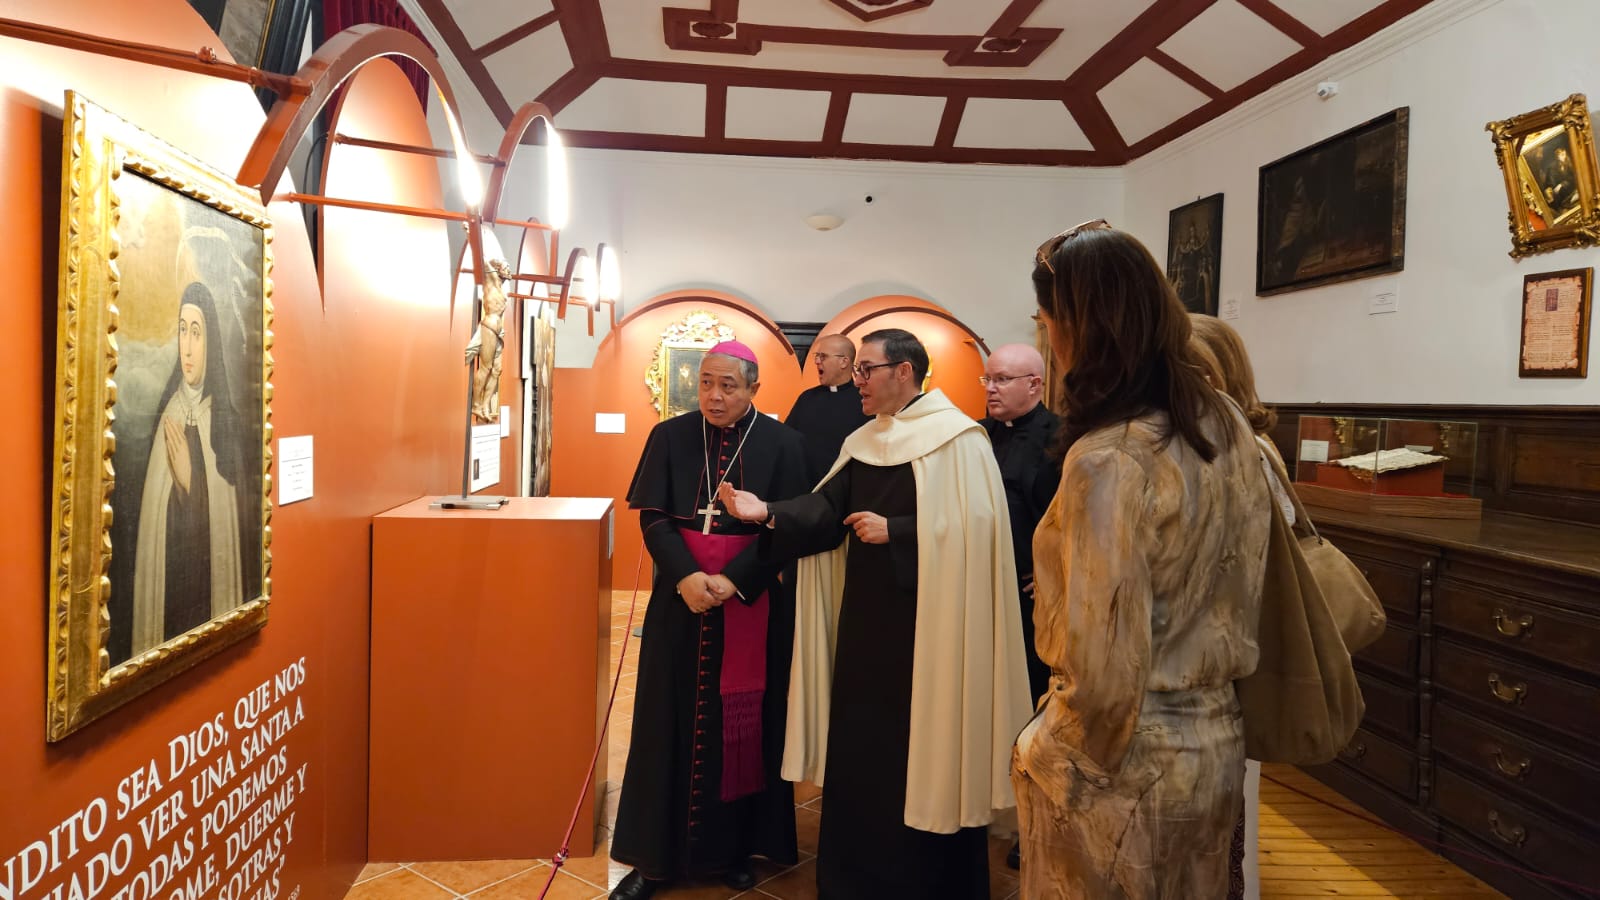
(1548, 159)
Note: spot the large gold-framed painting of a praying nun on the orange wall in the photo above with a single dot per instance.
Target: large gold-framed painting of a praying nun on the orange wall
(162, 454)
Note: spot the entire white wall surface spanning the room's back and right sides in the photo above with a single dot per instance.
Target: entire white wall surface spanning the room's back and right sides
(964, 236)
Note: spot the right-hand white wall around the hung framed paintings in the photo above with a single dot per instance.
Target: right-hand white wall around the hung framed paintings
(1457, 65)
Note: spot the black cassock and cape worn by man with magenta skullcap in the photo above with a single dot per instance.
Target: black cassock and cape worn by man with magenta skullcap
(682, 761)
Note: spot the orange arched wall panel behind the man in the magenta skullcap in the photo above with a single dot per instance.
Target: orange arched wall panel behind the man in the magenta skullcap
(602, 465)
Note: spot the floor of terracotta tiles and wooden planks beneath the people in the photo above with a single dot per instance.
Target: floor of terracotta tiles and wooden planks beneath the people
(1306, 848)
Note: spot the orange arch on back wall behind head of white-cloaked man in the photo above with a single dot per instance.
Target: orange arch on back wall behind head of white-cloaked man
(954, 361)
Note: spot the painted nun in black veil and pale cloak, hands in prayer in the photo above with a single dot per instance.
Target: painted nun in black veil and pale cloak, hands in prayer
(188, 553)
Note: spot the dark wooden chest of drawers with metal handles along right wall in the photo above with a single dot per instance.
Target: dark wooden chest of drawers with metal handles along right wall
(1482, 723)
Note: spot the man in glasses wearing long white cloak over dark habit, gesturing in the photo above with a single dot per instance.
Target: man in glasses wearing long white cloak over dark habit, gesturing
(910, 681)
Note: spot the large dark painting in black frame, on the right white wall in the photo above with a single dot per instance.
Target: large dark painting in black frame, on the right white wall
(1335, 212)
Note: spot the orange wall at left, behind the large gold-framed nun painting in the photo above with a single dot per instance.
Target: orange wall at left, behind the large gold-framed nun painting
(372, 371)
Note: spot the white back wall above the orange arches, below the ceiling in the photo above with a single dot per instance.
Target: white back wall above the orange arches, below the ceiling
(959, 236)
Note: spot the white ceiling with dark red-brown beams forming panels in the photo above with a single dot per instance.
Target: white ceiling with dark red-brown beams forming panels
(1054, 82)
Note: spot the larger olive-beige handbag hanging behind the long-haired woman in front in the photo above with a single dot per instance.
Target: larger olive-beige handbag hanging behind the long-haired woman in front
(1302, 705)
